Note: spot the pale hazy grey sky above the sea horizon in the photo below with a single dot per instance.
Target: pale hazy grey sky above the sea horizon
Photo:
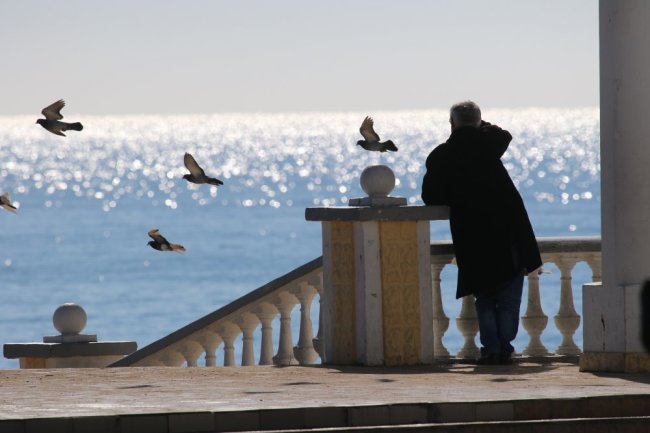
(179, 57)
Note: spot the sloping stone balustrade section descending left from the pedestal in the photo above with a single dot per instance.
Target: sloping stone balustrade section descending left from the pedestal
(242, 317)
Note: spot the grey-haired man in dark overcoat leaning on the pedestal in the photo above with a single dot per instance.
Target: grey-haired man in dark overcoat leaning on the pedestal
(493, 239)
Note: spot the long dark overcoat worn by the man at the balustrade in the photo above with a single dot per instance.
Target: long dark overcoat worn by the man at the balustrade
(492, 235)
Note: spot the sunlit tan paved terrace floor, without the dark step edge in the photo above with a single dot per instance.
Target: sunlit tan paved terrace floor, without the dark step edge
(29, 394)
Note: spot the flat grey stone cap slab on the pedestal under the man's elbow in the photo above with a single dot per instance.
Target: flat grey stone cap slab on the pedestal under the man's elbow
(401, 213)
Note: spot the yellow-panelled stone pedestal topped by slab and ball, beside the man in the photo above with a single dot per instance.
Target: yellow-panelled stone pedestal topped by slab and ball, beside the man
(377, 290)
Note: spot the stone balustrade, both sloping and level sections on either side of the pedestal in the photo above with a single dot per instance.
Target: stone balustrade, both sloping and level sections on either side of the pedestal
(249, 320)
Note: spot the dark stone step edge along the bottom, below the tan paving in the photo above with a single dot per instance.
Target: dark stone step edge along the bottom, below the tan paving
(628, 413)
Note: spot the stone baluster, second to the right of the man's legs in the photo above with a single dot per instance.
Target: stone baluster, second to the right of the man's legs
(567, 319)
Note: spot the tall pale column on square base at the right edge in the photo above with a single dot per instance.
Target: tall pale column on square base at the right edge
(611, 310)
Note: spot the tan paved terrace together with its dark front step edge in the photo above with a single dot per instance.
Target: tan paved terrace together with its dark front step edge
(186, 400)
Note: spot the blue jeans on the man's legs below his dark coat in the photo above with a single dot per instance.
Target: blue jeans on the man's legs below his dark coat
(498, 317)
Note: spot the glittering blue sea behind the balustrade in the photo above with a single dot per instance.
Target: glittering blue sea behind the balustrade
(86, 202)
